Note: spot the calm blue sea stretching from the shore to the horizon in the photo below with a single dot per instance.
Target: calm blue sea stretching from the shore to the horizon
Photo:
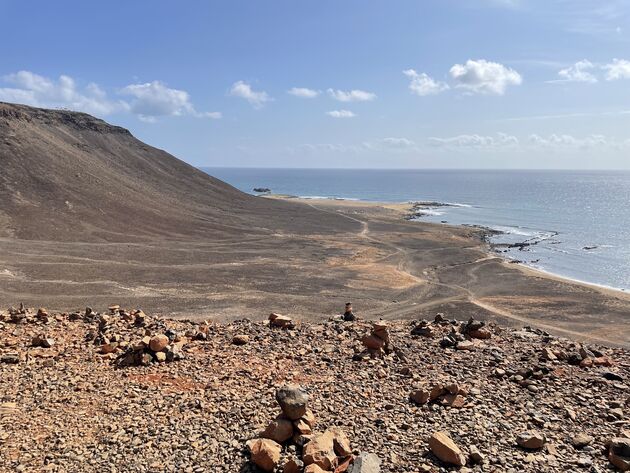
(581, 219)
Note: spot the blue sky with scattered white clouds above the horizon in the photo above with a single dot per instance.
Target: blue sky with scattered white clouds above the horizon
(337, 83)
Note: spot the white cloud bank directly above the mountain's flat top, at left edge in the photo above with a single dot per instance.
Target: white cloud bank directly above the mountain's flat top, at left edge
(38, 91)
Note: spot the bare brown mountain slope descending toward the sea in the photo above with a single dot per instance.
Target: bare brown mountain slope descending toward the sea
(68, 176)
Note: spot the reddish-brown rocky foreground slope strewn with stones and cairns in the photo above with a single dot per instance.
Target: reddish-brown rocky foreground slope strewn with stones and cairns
(124, 391)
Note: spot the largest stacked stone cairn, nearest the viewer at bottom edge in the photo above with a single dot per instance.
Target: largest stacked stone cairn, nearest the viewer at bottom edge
(305, 451)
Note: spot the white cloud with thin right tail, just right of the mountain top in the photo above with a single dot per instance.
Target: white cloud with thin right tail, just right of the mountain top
(155, 99)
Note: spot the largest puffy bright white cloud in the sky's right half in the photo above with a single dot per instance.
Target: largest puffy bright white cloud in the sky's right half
(484, 77)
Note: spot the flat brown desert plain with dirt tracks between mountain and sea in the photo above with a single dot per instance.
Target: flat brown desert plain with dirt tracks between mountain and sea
(386, 266)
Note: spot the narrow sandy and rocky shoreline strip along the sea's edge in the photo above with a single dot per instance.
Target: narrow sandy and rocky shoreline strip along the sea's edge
(410, 206)
